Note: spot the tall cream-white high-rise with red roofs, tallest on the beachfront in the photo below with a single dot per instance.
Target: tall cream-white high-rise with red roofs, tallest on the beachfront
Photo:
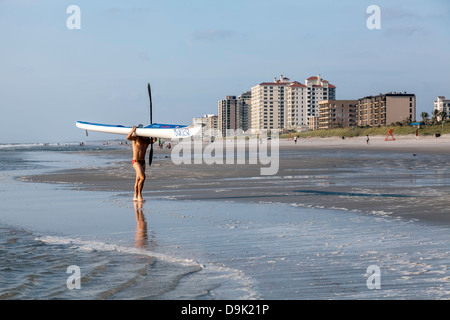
(283, 104)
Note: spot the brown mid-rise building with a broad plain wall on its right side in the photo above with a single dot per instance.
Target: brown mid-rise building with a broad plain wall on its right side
(385, 109)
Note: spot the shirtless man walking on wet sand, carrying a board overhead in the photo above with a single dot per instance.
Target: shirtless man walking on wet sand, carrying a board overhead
(140, 145)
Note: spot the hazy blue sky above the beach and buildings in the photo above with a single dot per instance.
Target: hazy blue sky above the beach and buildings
(196, 52)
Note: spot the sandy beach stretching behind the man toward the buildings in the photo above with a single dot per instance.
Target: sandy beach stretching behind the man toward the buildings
(408, 177)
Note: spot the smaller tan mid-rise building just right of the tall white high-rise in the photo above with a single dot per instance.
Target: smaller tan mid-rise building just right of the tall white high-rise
(337, 114)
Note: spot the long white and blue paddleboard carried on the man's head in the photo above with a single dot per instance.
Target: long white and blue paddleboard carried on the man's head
(155, 130)
